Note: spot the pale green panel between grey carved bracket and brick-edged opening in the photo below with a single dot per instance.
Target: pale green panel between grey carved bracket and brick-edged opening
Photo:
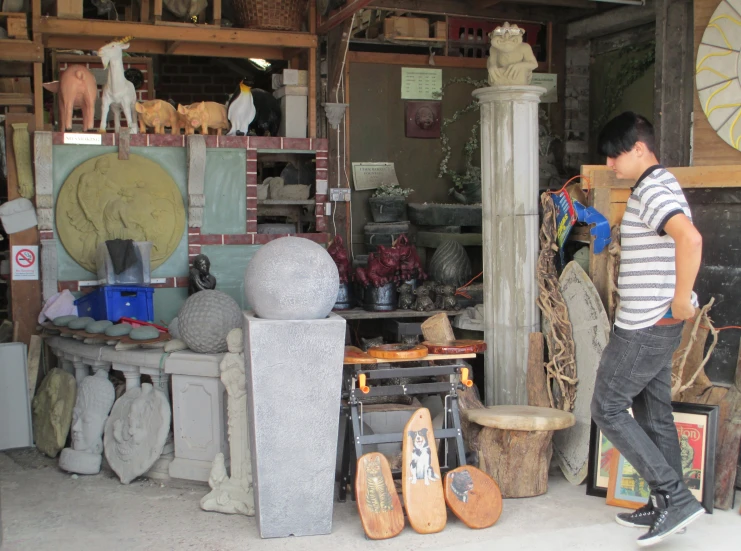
(225, 190)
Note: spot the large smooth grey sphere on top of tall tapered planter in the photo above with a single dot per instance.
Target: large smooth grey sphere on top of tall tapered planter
(291, 278)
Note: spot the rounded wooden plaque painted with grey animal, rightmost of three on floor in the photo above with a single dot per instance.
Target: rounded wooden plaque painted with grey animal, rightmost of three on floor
(473, 496)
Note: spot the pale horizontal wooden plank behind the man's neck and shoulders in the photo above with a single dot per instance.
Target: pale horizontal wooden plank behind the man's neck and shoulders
(722, 176)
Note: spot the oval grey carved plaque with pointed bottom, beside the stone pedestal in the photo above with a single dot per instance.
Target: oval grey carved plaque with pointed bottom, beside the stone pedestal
(136, 431)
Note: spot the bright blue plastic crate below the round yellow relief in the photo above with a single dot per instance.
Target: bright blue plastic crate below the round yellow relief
(113, 302)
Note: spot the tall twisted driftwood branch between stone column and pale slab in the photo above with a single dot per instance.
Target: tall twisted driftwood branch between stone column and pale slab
(561, 368)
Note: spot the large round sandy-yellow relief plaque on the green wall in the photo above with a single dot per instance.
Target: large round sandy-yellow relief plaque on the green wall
(107, 198)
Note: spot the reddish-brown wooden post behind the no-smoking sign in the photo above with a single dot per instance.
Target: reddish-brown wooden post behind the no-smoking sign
(25, 294)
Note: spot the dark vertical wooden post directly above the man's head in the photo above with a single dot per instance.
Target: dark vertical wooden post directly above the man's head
(674, 84)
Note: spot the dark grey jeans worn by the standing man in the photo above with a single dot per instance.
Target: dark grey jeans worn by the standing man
(631, 360)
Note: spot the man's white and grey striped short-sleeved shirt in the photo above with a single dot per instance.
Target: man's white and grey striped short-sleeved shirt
(647, 265)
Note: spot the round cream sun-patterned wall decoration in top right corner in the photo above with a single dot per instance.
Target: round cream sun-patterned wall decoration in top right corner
(717, 72)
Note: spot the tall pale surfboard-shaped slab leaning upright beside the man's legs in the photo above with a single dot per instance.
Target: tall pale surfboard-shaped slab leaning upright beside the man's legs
(591, 329)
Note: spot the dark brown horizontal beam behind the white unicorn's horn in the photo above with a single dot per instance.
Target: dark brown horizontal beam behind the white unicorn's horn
(182, 48)
